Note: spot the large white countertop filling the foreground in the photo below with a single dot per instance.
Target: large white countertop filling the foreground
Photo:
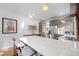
(51, 47)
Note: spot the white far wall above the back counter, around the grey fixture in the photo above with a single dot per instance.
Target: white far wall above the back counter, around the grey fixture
(34, 22)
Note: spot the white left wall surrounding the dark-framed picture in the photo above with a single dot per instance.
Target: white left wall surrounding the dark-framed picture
(6, 39)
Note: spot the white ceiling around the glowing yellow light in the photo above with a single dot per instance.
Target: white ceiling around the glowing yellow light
(26, 9)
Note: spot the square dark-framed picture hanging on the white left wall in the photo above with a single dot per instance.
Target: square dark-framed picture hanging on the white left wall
(9, 26)
